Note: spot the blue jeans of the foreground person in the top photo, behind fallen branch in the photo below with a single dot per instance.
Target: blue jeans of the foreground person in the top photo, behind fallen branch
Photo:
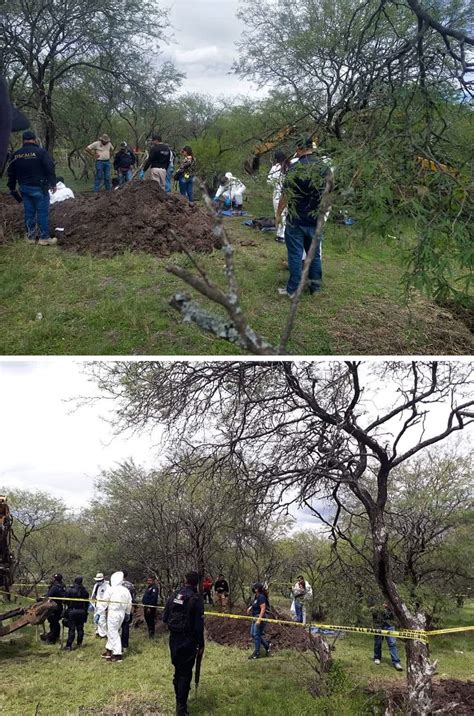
(298, 238)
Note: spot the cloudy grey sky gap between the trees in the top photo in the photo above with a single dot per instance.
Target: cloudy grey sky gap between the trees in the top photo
(204, 35)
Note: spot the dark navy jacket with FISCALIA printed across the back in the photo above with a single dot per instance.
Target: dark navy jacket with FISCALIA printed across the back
(31, 166)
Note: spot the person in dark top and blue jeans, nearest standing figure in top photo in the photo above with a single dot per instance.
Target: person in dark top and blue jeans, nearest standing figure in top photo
(302, 191)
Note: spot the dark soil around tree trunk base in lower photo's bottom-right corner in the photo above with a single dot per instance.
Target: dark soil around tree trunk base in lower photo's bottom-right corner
(449, 695)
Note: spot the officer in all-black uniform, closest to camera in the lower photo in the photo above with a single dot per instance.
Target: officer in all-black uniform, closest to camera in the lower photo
(184, 615)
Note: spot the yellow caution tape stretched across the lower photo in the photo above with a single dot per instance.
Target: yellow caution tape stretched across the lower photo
(416, 634)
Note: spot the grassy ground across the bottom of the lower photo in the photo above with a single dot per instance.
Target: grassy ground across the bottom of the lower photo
(40, 680)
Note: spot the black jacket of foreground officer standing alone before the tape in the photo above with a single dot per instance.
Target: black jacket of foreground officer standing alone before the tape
(184, 614)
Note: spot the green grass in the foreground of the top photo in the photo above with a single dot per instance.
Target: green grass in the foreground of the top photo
(120, 306)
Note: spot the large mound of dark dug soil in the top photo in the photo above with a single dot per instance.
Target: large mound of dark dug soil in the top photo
(138, 217)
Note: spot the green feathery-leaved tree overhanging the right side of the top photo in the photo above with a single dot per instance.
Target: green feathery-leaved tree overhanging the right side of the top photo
(382, 86)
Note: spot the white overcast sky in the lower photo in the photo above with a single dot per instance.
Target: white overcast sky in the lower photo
(49, 443)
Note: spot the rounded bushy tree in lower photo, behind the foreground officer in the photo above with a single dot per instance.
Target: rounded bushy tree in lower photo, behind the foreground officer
(174, 519)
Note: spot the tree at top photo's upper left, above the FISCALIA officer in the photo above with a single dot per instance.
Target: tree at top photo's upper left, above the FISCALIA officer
(46, 42)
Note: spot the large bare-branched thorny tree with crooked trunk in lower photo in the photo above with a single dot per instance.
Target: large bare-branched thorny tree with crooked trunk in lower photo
(305, 432)
